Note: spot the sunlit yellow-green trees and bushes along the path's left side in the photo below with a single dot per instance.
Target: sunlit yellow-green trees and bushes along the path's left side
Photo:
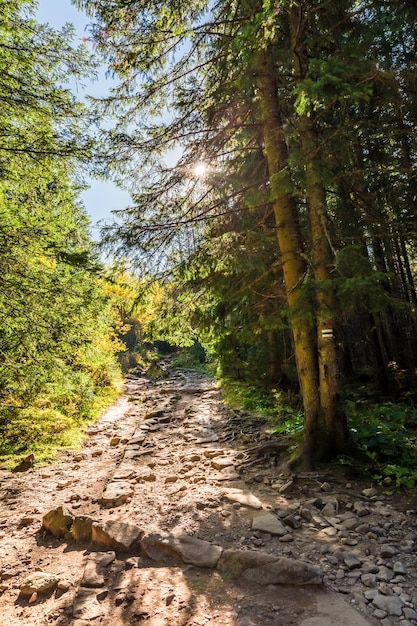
(57, 345)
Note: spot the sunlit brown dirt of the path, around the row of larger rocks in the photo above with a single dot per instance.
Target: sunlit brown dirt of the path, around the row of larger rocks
(169, 431)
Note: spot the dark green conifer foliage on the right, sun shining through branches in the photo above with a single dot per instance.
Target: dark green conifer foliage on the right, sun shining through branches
(342, 105)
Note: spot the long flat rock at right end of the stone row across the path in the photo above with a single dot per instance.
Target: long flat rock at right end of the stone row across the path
(267, 569)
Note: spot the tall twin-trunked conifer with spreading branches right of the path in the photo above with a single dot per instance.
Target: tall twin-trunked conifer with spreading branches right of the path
(293, 74)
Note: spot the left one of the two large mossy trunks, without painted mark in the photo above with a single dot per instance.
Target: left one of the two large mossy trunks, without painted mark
(291, 250)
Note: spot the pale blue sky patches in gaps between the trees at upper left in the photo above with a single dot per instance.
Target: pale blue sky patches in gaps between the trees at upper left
(102, 197)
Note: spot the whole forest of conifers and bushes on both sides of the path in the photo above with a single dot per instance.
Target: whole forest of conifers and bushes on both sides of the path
(269, 149)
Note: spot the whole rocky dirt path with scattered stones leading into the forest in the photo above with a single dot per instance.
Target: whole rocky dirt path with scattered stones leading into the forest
(174, 515)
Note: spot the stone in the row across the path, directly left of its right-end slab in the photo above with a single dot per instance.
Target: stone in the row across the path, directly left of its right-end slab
(184, 547)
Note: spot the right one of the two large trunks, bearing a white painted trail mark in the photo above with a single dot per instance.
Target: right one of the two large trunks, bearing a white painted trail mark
(334, 433)
